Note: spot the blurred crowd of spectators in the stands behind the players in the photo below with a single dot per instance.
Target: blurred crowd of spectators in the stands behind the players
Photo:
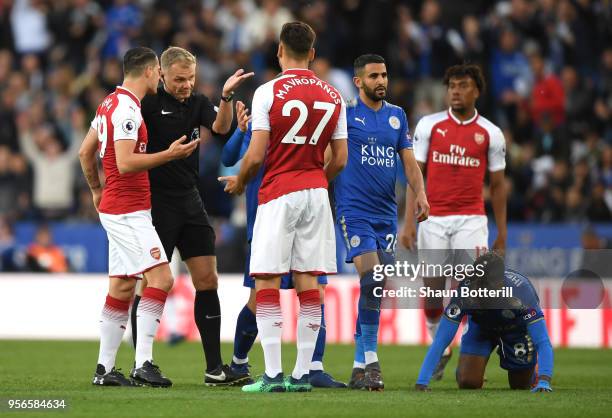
(548, 65)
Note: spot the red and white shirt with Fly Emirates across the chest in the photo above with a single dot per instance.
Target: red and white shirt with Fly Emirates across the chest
(456, 155)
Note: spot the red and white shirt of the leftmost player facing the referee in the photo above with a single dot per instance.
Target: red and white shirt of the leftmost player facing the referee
(118, 118)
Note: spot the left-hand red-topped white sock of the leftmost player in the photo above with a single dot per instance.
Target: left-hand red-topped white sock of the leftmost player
(112, 326)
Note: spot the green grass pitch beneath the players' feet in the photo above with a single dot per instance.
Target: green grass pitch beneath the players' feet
(63, 370)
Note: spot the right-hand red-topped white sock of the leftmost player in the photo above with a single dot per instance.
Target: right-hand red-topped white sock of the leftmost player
(148, 317)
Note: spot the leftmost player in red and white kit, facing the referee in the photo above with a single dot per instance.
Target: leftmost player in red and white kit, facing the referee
(124, 205)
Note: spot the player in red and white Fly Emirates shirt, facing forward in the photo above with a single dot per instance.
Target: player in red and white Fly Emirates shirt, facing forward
(455, 149)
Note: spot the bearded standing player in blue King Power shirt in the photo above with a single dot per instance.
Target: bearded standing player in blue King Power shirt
(365, 201)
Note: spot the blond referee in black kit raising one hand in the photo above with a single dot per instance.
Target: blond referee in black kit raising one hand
(177, 209)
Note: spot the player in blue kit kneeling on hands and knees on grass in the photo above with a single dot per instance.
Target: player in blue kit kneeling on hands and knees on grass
(511, 320)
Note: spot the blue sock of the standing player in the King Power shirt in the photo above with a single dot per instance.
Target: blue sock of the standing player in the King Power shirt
(369, 315)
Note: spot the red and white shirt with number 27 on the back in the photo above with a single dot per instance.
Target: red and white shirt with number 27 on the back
(302, 113)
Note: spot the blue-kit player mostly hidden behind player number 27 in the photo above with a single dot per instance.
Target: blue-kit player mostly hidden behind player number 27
(246, 326)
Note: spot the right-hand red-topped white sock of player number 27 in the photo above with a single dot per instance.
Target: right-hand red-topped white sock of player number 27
(308, 326)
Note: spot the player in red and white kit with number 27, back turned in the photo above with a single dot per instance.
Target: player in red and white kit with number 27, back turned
(295, 117)
